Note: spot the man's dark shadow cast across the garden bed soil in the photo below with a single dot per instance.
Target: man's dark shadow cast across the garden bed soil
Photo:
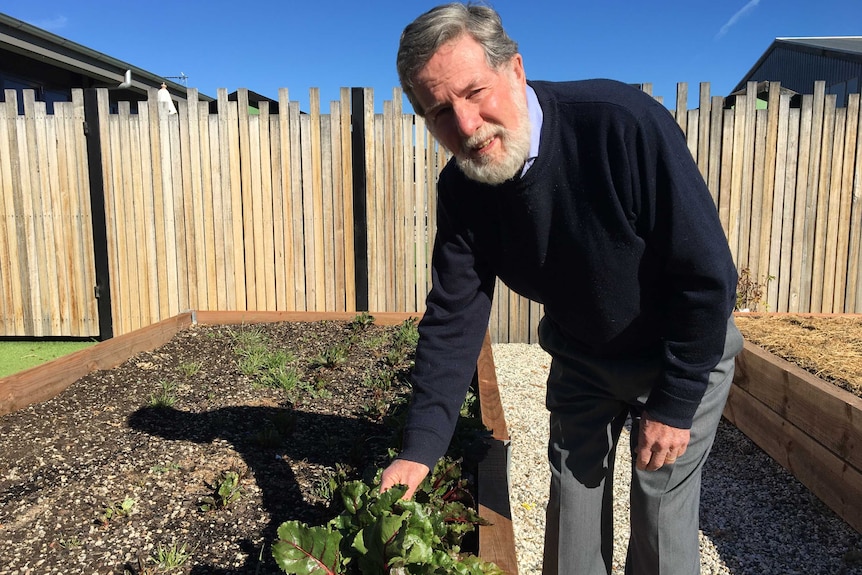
(302, 438)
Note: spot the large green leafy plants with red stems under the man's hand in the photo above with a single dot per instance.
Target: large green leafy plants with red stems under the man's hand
(383, 533)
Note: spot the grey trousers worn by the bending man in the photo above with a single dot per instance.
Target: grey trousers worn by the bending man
(590, 401)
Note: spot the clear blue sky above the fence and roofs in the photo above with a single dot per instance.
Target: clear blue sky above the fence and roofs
(263, 46)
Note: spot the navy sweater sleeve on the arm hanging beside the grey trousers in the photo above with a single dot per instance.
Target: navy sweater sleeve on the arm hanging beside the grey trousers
(698, 277)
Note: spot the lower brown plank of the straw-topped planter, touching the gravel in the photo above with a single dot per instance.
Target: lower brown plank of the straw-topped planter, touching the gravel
(829, 478)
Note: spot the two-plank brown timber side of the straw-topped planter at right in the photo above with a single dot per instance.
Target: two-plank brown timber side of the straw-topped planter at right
(810, 427)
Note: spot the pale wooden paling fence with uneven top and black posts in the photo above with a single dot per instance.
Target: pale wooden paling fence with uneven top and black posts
(113, 221)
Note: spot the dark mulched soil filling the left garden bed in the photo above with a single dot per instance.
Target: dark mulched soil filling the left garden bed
(103, 440)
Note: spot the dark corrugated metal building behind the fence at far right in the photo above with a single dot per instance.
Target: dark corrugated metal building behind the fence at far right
(799, 62)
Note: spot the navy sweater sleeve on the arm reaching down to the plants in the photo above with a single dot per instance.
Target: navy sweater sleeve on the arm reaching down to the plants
(451, 334)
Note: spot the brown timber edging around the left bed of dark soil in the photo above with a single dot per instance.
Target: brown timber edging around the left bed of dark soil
(496, 541)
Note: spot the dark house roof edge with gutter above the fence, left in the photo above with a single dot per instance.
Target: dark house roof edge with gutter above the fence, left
(22, 38)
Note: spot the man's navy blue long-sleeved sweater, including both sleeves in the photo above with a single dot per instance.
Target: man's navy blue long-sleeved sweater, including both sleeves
(612, 229)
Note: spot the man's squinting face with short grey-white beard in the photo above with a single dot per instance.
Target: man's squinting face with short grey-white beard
(478, 113)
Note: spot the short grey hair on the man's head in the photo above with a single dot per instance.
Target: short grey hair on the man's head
(424, 36)
